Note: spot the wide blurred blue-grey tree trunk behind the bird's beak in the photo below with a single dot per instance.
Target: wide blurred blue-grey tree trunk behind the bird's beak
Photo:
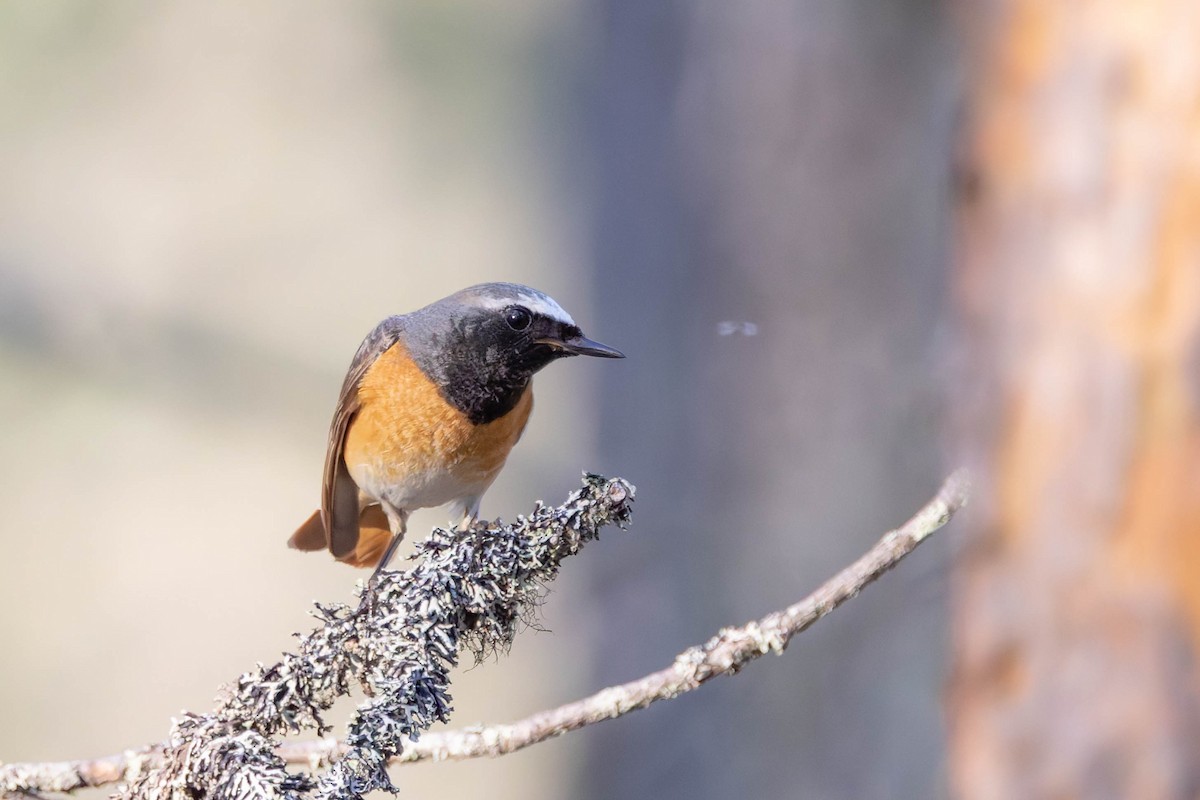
(782, 165)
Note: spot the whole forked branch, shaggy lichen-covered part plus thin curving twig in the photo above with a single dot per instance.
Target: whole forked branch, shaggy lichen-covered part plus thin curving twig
(559, 533)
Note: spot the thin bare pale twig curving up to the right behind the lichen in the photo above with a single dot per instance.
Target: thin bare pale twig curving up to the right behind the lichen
(723, 655)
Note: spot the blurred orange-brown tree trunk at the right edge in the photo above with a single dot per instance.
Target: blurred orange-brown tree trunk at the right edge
(1078, 606)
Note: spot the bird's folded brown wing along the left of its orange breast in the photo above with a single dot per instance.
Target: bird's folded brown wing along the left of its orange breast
(340, 495)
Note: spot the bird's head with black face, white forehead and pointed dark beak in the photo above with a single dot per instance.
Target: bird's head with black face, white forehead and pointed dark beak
(483, 357)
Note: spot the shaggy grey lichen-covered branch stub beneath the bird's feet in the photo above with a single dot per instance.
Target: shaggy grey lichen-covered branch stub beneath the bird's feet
(469, 591)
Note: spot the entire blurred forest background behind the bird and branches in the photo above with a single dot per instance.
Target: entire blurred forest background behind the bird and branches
(845, 245)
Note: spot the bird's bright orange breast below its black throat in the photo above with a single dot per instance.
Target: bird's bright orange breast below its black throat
(407, 436)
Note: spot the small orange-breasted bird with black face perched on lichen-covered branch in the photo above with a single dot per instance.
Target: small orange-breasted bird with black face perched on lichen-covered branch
(430, 410)
